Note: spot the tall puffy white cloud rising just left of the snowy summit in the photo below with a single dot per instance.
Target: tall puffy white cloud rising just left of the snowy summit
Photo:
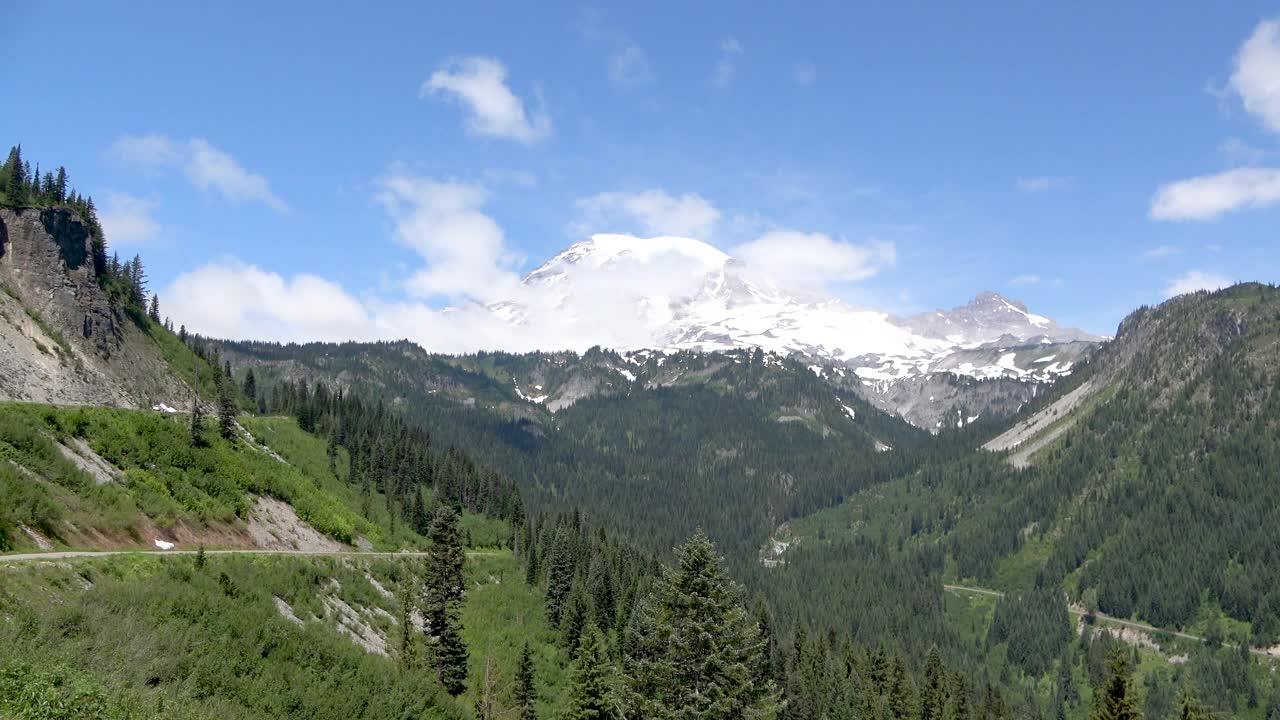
(464, 249)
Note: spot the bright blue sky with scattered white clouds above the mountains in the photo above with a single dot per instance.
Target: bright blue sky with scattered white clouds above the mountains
(418, 156)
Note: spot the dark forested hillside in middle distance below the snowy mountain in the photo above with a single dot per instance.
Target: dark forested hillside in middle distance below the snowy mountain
(735, 444)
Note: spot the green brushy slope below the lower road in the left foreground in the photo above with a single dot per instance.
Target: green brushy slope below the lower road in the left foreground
(164, 639)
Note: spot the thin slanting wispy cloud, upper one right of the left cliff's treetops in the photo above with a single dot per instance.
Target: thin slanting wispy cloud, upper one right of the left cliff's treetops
(207, 167)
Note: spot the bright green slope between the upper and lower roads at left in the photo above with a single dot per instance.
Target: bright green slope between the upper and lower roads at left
(164, 479)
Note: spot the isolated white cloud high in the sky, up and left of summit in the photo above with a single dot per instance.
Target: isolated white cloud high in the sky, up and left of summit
(481, 85)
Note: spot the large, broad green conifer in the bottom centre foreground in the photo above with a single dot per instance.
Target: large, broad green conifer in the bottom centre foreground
(692, 650)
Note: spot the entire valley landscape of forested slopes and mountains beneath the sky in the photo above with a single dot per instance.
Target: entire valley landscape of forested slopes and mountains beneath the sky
(973, 509)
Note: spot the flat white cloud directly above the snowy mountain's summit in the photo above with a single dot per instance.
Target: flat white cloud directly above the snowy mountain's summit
(651, 212)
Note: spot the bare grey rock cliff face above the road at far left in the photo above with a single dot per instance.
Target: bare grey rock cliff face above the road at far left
(61, 339)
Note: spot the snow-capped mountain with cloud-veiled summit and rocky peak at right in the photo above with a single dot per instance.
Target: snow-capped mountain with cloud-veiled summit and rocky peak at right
(680, 294)
